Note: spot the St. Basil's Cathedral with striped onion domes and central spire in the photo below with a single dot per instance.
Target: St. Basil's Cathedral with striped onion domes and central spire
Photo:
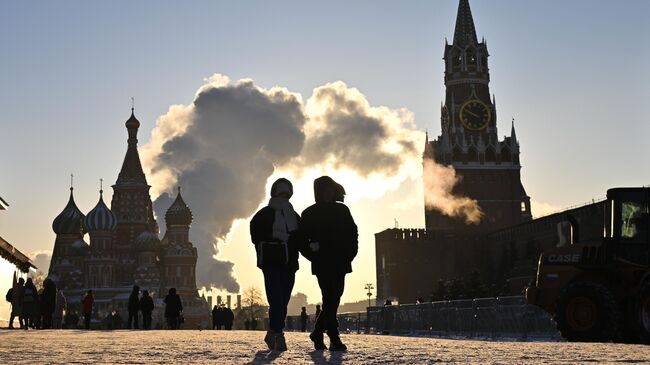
(124, 247)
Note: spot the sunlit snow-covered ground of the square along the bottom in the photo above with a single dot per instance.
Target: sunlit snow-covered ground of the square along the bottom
(246, 347)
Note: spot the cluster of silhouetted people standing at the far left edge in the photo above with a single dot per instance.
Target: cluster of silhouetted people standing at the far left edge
(36, 307)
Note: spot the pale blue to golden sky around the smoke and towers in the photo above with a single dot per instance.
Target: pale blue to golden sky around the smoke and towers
(573, 74)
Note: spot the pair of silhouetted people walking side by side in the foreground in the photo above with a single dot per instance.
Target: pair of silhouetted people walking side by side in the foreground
(326, 235)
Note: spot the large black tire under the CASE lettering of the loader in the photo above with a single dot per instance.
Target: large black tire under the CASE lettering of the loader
(587, 311)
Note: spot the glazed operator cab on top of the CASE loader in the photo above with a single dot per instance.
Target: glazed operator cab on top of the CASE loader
(629, 223)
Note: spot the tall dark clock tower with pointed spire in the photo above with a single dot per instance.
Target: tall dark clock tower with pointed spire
(489, 168)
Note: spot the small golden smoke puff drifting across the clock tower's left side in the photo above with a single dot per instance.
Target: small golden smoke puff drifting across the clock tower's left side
(439, 182)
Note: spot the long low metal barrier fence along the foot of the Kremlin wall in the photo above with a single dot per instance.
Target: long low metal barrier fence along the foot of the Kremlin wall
(504, 317)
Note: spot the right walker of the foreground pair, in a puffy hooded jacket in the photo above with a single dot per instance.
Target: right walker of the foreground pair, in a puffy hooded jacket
(332, 235)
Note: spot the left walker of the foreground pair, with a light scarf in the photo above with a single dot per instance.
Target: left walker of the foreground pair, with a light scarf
(273, 232)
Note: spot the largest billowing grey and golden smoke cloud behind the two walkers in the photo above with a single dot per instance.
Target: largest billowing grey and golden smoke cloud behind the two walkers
(224, 147)
